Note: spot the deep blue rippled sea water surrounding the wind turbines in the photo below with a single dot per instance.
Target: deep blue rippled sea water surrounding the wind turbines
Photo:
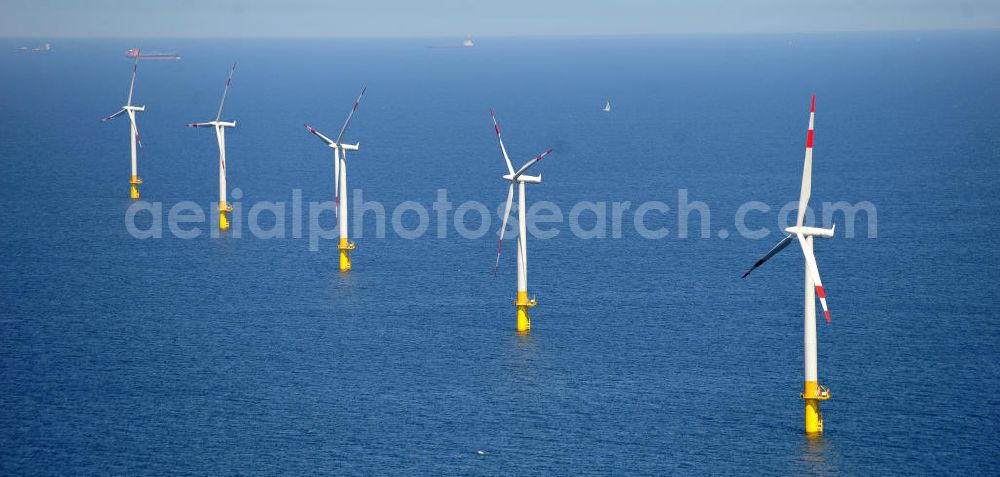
(249, 356)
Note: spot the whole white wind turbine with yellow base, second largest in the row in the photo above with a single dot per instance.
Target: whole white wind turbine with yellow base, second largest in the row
(518, 178)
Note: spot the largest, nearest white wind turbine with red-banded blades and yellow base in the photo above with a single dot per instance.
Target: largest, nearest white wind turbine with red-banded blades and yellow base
(813, 392)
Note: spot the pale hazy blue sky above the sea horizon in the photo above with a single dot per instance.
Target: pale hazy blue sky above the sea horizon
(451, 18)
